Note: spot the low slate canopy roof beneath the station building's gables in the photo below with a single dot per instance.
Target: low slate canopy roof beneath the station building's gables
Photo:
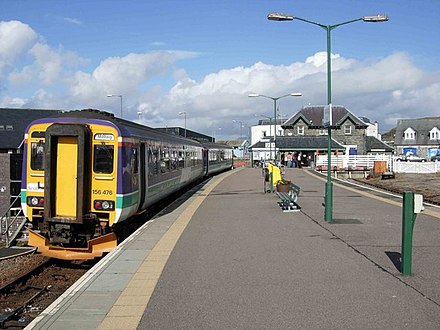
(301, 143)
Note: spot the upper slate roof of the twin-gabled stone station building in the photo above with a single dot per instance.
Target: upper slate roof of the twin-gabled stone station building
(313, 115)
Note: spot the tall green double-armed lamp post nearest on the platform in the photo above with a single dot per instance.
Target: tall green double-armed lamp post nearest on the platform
(286, 17)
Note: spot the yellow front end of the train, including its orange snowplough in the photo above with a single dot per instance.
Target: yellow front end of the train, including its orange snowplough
(71, 190)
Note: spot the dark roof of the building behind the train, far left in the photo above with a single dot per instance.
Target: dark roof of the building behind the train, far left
(13, 123)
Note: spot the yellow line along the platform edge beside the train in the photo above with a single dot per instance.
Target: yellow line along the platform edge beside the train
(128, 310)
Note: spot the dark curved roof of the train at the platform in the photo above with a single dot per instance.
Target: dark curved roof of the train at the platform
(127, 128)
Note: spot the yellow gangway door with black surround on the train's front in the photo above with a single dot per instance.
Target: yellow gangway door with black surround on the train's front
(67, 172)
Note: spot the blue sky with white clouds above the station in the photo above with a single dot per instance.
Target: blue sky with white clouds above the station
(202, 58)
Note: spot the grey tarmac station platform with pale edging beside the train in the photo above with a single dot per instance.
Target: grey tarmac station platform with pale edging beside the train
(227, 257)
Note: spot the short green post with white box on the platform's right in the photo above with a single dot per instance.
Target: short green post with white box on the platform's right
(412, 204)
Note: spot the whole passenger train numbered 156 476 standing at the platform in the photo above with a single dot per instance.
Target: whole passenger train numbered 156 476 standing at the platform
(86, 172)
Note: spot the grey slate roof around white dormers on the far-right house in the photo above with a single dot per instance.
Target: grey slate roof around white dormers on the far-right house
(421, 126)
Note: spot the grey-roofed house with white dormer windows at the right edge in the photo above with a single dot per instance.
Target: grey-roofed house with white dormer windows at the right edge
(418, 136)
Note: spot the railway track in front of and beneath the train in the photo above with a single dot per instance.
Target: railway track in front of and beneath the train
(25, 296)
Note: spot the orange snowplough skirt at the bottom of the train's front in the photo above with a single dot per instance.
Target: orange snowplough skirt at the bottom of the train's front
(95, 247)
